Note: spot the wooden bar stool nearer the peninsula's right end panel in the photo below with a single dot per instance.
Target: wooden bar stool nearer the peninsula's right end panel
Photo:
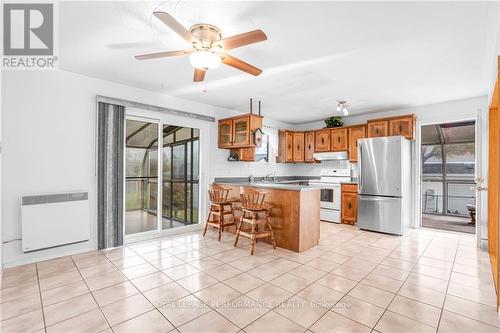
(253, 212)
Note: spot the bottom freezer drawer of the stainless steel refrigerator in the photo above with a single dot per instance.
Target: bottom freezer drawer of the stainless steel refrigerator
(381, 214)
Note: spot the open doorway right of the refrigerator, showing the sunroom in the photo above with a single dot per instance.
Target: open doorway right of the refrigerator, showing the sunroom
(448, 169)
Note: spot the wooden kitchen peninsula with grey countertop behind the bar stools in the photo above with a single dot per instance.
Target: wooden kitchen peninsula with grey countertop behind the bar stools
(294, 214)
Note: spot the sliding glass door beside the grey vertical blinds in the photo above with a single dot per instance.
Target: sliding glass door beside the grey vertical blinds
(158, 153)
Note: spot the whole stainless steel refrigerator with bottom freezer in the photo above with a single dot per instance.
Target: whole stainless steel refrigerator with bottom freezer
(384, 190)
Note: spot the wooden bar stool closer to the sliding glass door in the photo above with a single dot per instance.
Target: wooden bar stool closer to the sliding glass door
(218, 203)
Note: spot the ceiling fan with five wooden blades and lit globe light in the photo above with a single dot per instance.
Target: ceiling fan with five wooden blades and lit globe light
(208, 47)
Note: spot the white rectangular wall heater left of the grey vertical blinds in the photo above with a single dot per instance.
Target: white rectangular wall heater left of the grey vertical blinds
(51, 220)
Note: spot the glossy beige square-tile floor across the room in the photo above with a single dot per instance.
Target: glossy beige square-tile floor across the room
(354, 281)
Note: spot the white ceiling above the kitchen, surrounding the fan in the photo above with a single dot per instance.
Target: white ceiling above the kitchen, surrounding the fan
(376, 55)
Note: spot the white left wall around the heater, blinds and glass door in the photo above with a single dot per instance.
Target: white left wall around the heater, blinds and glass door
(49, 140)
